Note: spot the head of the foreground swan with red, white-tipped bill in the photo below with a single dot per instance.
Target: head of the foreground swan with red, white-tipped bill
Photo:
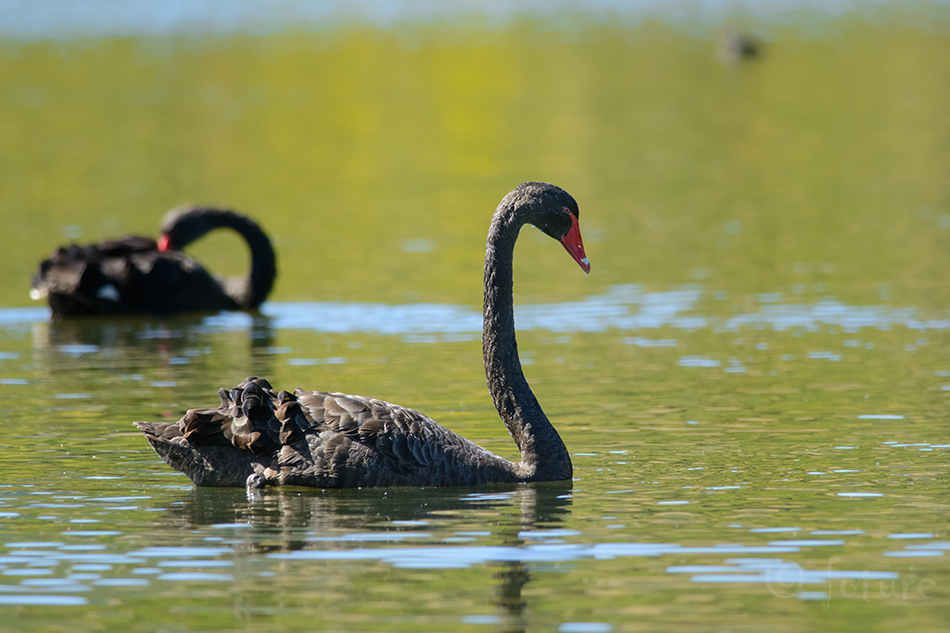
(555, 212)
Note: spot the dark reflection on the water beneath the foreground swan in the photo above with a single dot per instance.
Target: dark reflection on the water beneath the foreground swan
(307, 521)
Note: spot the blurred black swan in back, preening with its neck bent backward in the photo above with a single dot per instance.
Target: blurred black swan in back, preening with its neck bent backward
(137, 275)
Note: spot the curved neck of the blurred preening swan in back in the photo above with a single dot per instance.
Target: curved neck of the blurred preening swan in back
(251, 290)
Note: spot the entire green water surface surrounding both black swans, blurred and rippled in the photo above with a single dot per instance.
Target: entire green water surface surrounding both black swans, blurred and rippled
(753, 381)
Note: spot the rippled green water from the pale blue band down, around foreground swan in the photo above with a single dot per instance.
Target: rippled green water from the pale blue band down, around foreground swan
(739, 470)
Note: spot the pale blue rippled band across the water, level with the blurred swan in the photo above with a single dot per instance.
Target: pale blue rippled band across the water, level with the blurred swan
(623, 307)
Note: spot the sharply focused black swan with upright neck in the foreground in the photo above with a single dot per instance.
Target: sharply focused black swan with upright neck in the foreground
(258, 437)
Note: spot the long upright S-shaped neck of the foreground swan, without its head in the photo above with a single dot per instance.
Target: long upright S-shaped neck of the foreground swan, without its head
(543, 455)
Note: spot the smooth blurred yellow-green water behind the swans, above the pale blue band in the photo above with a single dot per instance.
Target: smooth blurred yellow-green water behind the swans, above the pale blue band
(374, 155)
